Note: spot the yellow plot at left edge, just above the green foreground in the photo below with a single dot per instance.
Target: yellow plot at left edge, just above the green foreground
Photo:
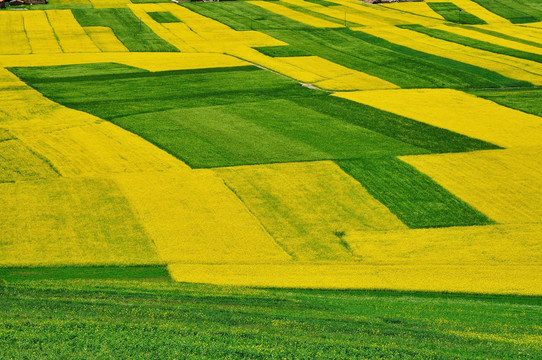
(70, 222)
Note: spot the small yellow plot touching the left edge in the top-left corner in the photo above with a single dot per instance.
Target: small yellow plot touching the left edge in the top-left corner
(13, 39)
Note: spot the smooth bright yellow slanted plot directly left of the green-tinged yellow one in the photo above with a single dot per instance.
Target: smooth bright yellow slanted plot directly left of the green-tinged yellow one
(193, 217)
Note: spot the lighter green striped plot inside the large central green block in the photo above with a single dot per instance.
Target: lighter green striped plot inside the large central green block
(257, 132)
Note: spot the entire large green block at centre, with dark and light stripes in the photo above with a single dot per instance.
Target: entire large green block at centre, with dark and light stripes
(239, 116)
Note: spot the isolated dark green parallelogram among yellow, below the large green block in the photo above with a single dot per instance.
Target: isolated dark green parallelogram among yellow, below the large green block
(415, 198)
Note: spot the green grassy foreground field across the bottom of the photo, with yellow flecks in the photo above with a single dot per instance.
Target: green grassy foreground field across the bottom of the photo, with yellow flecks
(123, 318)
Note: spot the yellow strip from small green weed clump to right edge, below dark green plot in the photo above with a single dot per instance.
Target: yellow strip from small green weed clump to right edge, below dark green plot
(494, 245)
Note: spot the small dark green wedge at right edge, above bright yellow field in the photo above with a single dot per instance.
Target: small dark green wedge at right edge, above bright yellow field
(527, 100)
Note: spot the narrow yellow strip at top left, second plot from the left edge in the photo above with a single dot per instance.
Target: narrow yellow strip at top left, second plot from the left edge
(40, 34)
